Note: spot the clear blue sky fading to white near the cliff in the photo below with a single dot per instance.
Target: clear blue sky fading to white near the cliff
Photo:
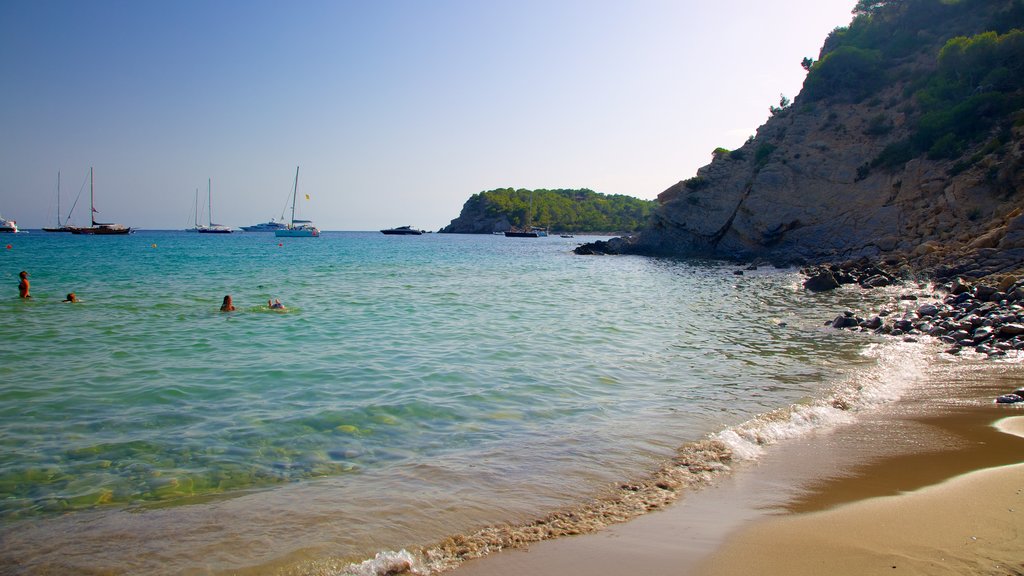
(395, 111)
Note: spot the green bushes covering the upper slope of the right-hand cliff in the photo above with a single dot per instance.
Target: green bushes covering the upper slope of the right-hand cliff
(972, 92)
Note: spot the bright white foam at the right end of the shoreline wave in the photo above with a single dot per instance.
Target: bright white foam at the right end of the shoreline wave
(898, 367)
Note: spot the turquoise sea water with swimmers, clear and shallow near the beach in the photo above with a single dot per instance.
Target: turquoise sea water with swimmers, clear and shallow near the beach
(416, 388)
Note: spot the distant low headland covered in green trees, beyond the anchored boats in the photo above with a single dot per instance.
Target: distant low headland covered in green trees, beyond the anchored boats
(564, 211)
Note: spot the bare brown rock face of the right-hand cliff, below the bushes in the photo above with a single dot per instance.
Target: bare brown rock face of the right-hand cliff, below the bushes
(804, 190)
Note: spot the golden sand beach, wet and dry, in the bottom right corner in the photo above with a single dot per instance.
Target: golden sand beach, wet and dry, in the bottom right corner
(901, 488)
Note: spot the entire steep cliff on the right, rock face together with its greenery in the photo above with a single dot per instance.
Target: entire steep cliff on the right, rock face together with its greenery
(819, 183)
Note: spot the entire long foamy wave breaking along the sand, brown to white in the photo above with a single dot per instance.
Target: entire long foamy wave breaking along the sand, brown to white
(898, 368)
